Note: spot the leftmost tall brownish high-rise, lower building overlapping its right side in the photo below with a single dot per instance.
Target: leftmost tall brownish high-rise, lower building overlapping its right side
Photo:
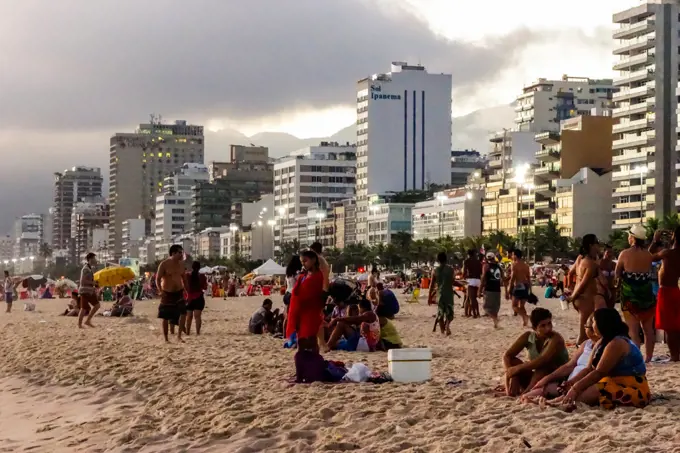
(71, 186)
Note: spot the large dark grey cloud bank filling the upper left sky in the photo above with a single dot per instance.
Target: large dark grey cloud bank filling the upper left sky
(85, 64)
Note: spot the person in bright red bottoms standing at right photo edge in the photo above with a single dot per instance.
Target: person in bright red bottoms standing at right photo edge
(668, 299)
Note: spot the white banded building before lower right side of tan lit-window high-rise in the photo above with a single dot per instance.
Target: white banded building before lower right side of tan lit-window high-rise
(173, 218)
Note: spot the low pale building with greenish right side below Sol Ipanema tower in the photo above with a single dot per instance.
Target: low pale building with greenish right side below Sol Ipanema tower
(385, 219)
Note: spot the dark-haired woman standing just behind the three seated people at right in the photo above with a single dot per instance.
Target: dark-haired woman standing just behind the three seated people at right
(587, 295)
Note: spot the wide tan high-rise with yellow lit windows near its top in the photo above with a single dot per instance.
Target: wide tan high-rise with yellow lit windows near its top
(140, 162)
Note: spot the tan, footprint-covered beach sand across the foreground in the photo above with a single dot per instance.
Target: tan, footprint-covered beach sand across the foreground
(120, 388)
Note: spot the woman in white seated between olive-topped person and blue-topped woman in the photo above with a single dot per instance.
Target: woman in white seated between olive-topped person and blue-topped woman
(560, 381)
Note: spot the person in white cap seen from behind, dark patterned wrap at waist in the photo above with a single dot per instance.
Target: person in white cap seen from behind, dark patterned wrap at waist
(634, 274)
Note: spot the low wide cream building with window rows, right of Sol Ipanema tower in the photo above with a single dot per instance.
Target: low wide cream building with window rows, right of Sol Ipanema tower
(455, 213)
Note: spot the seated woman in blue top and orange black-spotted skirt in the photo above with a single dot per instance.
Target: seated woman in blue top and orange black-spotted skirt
(616, 374)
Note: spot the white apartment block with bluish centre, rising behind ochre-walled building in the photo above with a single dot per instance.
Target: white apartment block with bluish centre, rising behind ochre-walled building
(545, 103)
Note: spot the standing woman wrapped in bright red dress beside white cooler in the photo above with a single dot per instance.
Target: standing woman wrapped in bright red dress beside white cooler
(305, 314)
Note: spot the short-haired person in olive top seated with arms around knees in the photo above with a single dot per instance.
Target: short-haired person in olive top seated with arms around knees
(546, 350)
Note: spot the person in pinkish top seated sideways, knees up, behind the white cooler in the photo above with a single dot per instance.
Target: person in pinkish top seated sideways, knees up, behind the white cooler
(369, 330)
